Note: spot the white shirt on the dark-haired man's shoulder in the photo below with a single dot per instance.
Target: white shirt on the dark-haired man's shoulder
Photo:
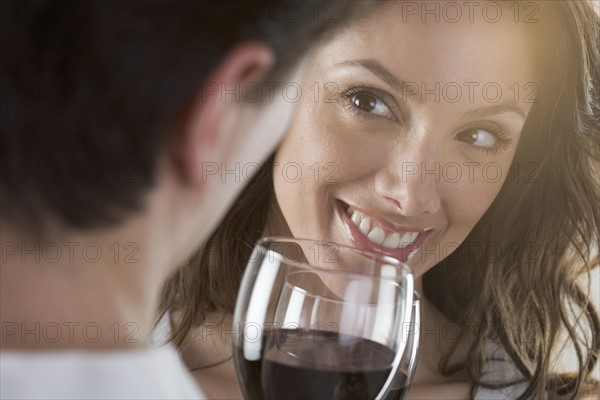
(150, 373)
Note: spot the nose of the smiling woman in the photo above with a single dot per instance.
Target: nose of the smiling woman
(411, 187)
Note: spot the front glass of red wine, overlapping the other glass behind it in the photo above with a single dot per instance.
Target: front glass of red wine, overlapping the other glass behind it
(319, 320)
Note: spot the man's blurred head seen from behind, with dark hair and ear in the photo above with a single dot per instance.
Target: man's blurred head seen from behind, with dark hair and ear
(106, 102)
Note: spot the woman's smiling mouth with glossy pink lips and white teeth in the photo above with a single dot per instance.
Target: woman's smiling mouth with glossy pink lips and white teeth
(376, 234)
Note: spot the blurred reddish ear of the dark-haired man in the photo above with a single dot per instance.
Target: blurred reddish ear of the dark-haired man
(202, 139)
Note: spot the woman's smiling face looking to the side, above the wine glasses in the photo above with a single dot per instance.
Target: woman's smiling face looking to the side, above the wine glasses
(405, 133)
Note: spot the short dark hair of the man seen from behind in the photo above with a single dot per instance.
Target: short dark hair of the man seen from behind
(92, 90)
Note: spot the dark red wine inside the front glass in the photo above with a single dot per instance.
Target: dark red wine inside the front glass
(298, 364)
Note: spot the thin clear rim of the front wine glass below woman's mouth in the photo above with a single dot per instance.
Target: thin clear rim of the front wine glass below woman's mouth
(377, 257)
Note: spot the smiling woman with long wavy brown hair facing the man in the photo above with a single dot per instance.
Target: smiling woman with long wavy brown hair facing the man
(467, 149)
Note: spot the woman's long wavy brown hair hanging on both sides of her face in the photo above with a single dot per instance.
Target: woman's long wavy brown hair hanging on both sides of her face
(544, 226)
